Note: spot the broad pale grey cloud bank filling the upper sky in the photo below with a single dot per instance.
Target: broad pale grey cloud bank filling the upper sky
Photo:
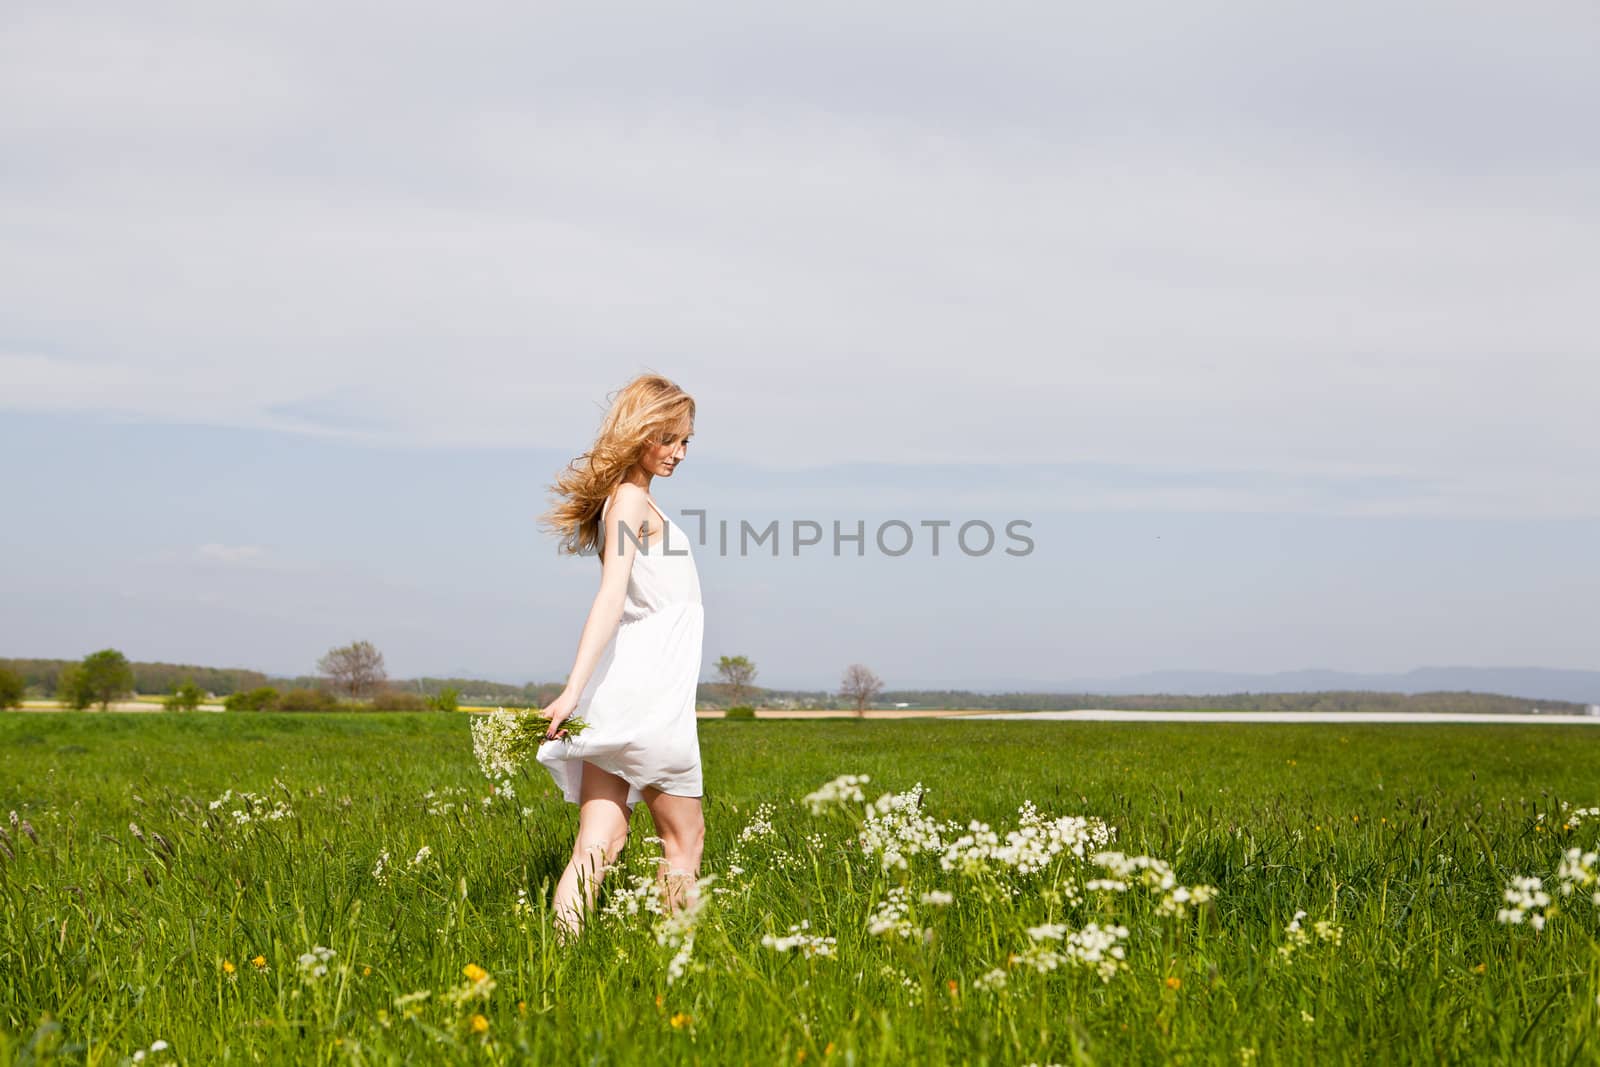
(1353, 244)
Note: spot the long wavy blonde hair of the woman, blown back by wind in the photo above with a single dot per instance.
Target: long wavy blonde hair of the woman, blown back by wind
(642, 412)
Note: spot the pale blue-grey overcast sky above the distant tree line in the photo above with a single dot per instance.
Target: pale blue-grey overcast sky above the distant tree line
(1274, 321)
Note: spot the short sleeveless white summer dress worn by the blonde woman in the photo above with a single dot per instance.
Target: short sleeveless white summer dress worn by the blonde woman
(641, 700)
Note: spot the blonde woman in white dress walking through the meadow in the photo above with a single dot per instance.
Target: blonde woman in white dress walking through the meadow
(639, 657)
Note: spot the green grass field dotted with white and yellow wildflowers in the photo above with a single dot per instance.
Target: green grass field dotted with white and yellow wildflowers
(212, 882)
